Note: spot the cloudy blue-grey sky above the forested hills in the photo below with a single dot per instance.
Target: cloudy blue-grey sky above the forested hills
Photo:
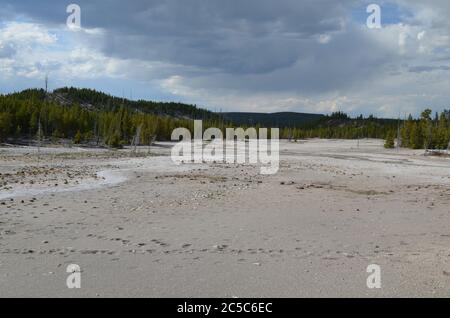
(315, 56)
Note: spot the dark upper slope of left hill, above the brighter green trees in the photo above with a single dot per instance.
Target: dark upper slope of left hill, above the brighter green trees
(98, 101)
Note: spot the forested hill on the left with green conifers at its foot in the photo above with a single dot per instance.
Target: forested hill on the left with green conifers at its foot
(88, 116)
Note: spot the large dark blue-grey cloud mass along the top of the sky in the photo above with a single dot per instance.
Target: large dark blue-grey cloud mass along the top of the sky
(252, 36)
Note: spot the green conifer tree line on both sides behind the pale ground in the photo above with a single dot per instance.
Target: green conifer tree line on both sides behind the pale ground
(84, 115)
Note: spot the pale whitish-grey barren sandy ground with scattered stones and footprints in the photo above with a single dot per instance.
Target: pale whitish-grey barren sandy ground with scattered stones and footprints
(141, 226)
